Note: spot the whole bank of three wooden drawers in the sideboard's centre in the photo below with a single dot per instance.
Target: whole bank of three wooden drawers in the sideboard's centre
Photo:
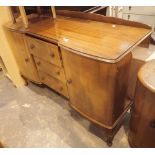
(47, 57)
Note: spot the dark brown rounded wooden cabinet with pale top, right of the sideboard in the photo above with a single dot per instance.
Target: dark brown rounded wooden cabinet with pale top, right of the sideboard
(142, 123)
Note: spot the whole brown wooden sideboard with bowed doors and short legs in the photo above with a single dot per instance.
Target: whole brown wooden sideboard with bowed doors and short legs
(85, 57)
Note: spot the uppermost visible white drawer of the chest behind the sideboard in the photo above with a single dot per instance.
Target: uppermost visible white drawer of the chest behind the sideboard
(144, 10)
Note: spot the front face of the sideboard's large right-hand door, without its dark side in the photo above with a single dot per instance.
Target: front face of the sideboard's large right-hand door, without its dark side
(91, 87)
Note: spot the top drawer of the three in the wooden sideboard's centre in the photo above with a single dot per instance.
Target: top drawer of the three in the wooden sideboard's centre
(47, 51)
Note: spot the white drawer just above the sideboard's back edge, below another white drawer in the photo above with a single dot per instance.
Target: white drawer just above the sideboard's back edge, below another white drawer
(149, 20)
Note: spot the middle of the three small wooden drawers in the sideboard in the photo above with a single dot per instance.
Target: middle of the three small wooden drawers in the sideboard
(52, 70)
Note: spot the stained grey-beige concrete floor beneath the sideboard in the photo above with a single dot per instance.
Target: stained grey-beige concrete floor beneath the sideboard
(32, 116)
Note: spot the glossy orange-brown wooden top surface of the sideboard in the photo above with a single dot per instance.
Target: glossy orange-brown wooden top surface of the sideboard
(87, 37)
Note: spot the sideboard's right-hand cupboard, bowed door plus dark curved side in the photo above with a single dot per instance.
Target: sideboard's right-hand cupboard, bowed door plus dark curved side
(96, 89)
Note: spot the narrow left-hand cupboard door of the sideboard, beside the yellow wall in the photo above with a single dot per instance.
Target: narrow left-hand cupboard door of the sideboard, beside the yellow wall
(24, 59)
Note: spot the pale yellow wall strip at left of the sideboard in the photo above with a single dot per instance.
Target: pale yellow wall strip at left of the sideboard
(6, 52)
